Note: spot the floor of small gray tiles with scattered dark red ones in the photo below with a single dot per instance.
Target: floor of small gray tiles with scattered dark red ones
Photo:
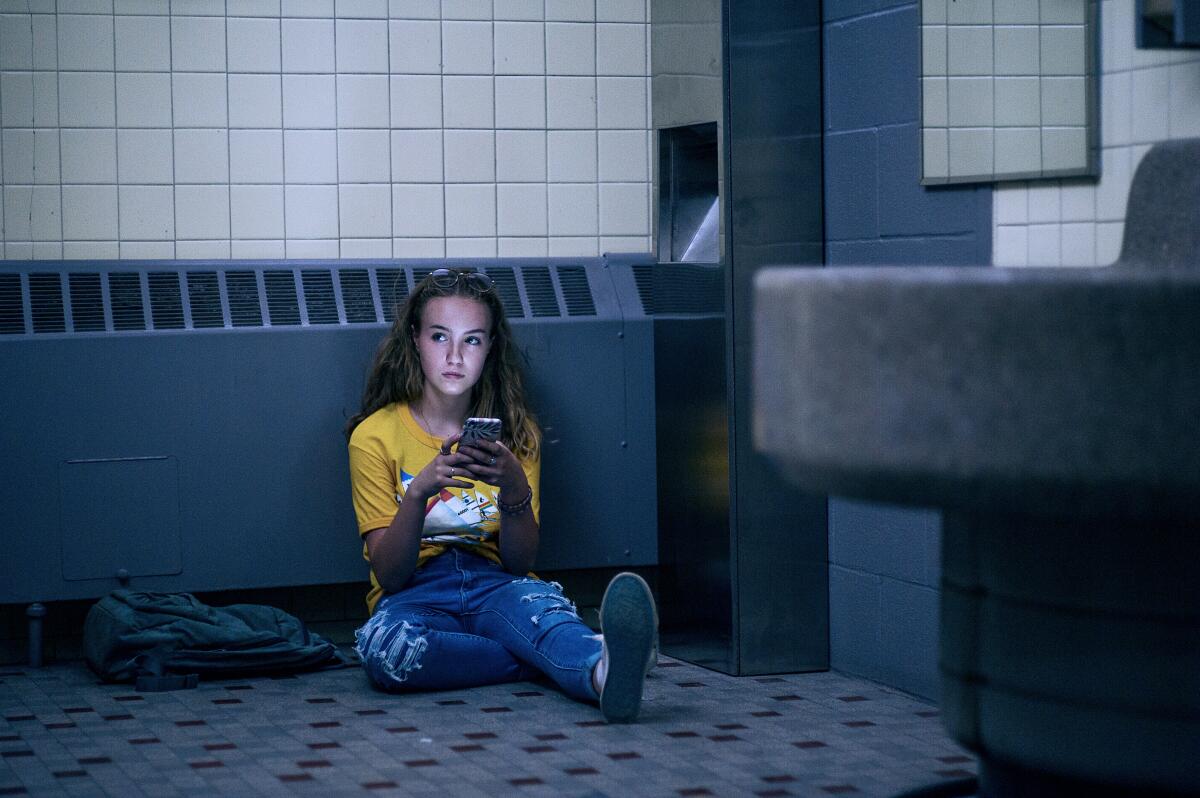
(701, 734)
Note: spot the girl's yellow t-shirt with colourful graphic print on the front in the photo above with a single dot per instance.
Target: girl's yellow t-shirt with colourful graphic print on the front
(388, 449)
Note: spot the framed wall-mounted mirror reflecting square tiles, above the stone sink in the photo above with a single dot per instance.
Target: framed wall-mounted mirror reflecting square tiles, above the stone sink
(1009, 91)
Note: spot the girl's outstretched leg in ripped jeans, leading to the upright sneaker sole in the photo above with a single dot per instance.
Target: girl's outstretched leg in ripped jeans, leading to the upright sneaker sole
(536, 622)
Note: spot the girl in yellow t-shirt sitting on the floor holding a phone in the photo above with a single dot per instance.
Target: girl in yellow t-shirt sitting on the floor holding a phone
(452, 532)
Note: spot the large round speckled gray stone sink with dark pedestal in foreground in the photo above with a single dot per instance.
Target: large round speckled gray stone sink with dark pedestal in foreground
(1054, 416)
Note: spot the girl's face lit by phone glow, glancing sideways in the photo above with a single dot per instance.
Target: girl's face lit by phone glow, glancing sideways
(454, 343)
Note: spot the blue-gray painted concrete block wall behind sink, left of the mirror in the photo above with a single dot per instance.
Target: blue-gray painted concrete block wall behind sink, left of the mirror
(884, 561)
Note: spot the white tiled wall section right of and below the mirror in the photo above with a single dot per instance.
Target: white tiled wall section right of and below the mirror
(1147, 97)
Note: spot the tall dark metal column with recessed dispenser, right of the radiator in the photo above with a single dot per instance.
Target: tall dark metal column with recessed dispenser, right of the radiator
(743, 556)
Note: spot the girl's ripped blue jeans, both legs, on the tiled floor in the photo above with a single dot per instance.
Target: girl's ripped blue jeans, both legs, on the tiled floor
(463, 621)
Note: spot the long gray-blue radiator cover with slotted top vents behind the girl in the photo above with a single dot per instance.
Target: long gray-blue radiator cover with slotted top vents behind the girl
(178, 425)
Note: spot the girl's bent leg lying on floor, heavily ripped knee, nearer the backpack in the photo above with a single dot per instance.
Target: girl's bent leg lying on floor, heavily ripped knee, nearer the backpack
(417, 649)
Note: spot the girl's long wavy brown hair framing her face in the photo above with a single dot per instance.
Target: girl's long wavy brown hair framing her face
(397, 373)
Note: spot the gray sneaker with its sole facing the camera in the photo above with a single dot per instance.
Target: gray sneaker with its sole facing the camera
(629, 623)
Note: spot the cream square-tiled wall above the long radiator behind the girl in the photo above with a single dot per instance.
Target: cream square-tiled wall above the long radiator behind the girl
(303, 129)
